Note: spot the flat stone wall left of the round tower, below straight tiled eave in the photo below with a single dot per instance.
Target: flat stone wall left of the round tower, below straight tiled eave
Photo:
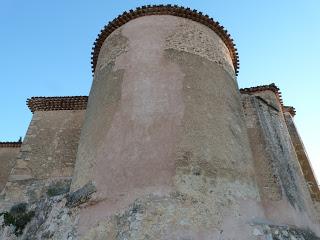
(47, 155)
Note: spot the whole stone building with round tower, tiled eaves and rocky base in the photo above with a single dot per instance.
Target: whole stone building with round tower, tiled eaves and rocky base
(168, 146)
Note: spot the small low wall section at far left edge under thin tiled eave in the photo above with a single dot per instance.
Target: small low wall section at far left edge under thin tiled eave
(7, 160)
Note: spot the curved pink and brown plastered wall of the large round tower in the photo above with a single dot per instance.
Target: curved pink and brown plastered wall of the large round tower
(164, 127)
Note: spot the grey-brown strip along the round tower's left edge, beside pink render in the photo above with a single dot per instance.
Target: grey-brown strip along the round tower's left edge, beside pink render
(104, 98)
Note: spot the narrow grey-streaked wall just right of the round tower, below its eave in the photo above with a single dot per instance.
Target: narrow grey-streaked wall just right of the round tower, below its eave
(283, 190)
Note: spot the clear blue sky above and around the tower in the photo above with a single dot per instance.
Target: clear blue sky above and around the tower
(45, 51)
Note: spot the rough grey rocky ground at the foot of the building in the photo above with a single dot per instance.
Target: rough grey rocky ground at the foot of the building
(55, 217)
